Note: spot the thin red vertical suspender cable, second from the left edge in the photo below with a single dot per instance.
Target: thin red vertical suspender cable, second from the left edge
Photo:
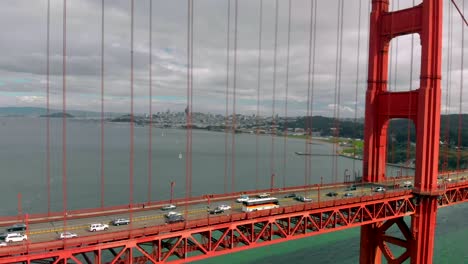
(64, 118)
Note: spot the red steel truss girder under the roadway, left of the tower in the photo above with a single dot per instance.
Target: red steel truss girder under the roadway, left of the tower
(250, 231)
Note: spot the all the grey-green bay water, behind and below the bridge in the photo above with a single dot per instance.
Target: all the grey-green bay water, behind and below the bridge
(23, 162)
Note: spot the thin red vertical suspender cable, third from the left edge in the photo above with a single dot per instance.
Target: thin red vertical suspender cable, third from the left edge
(102, 104)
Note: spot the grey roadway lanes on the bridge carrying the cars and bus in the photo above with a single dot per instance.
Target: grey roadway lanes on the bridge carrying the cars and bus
(153, 216)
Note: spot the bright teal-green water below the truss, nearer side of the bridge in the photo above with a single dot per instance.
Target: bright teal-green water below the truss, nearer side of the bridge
(343, 246)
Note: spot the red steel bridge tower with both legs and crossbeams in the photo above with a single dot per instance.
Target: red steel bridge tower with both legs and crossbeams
(422, 106)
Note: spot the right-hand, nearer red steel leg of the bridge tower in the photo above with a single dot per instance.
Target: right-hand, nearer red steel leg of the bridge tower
(428, 131)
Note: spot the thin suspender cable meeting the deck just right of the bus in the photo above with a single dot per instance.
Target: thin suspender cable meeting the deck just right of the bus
(285, 136)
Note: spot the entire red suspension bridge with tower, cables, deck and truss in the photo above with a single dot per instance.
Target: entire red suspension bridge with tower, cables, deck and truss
(202, 236)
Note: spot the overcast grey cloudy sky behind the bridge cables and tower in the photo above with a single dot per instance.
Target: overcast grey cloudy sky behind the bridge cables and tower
(23, 24)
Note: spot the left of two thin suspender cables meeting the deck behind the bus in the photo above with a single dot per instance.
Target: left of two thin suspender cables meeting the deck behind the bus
(259, 75)
